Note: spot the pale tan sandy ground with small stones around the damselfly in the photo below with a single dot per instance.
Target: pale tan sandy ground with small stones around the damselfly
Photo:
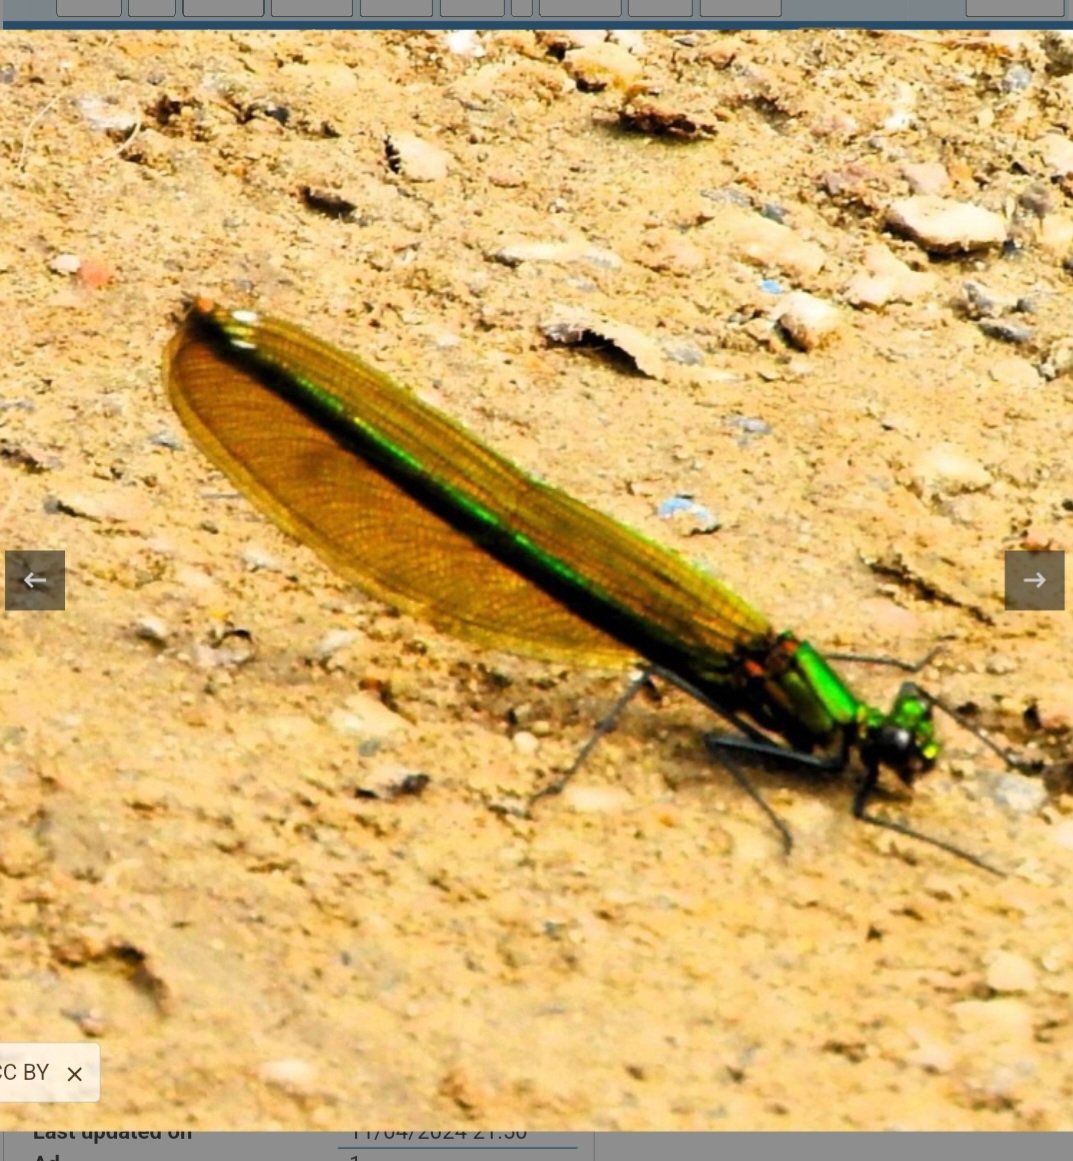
(191, 868)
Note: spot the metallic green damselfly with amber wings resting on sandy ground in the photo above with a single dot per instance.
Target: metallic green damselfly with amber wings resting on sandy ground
(415, 510)
